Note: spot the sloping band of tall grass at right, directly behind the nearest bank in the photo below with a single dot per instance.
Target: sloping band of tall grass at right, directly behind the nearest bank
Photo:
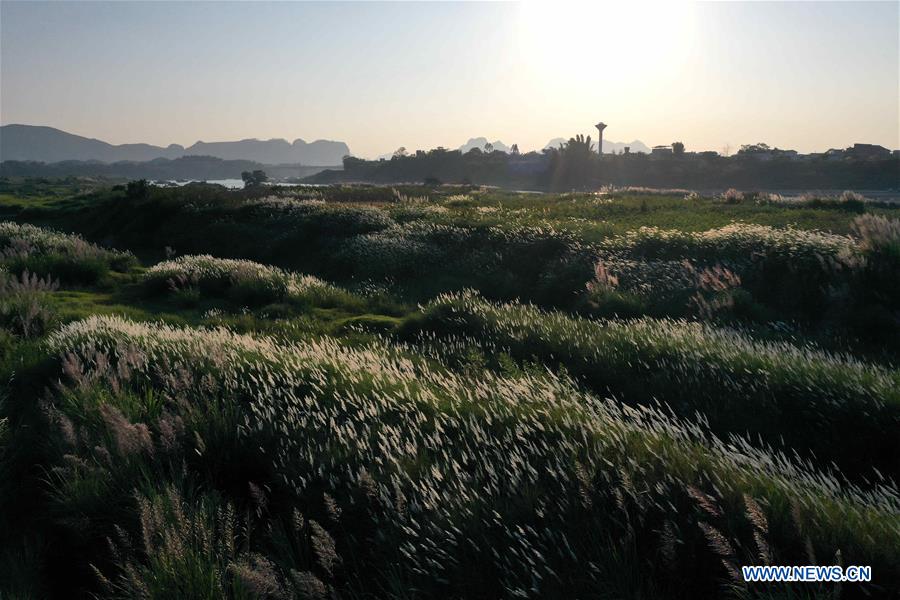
(780, 391)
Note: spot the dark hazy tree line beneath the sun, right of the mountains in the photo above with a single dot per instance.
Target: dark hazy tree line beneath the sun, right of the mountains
(575, 165)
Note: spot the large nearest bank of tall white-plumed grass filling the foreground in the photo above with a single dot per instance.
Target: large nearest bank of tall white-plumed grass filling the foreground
(423, 475)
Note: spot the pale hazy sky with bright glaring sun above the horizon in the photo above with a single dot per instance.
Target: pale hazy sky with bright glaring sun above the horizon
(808, 76)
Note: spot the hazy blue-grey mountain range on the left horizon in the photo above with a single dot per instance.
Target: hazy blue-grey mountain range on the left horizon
(47, 144)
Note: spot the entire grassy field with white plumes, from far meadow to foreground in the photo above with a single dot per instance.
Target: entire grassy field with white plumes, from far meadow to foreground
(269, 414)
